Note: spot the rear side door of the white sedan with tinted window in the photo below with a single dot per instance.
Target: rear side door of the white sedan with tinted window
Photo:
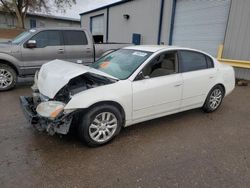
(198, 75)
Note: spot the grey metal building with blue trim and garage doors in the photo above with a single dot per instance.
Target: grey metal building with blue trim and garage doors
(201, 24)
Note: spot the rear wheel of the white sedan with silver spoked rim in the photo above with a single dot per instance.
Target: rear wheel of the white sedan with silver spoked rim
(214, 99)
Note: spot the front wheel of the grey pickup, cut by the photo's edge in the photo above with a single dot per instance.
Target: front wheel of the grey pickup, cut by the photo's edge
(8, 77)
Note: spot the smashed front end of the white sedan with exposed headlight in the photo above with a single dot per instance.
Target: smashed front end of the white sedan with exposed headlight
(46, 114)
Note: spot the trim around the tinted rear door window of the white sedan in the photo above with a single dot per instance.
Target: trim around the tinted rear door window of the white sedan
(205, 56)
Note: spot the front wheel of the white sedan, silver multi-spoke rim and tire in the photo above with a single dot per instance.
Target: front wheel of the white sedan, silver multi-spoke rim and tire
(100, 125)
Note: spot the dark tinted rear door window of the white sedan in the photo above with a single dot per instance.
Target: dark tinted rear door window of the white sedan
(192, 61)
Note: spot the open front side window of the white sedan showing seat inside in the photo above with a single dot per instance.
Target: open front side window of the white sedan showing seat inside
(162, 65)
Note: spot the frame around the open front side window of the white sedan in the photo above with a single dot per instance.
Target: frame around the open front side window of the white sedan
(177, 65)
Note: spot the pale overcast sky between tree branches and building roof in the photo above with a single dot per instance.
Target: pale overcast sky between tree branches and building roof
(84, 5)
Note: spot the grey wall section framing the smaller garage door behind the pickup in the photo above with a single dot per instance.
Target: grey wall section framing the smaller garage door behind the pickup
(85, 20)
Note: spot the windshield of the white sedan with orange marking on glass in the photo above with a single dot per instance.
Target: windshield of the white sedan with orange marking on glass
(121, 63)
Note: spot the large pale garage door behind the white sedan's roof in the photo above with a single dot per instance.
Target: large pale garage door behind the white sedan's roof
(200, 24)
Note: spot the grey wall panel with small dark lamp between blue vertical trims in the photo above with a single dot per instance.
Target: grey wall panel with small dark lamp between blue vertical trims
(144, 20)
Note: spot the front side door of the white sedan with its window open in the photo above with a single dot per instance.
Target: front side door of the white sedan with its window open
(157, 89)
